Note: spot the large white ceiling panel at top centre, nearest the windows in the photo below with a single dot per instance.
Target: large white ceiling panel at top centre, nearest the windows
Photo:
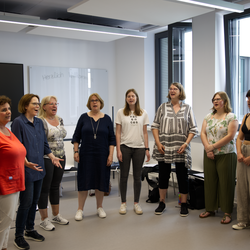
(155, 12)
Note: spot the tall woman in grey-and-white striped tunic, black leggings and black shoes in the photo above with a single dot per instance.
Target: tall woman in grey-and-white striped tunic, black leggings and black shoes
(173, 129)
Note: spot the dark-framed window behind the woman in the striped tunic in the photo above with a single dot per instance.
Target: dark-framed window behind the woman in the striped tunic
(173, 50)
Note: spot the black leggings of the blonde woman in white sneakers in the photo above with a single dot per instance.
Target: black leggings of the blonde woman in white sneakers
(51, 183)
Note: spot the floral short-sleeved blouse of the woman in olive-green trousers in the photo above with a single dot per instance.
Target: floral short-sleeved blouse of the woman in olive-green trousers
(217, 129)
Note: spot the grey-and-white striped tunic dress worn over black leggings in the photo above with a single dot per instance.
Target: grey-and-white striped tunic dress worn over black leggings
(174, 129)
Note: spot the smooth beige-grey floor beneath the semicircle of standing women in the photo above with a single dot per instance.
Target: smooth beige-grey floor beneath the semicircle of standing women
(135, 232)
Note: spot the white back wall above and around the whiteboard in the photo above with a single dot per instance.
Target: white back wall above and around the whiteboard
(49, 51)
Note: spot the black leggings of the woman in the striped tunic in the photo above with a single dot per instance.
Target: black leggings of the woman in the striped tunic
(181, 172)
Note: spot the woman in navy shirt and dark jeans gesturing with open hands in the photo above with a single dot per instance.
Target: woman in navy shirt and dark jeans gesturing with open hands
(30, 132)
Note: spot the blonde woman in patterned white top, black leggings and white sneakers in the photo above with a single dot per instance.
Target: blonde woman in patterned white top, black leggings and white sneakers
(55, 133)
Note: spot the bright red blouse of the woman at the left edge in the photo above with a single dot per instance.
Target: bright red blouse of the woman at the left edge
(12, 156)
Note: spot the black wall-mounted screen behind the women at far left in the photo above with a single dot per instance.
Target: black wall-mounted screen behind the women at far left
(12, 84)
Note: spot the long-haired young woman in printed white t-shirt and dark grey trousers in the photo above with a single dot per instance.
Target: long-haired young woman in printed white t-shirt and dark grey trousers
(131, 143)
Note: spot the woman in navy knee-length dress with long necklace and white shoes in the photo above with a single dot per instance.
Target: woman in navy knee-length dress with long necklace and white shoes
(94, 132)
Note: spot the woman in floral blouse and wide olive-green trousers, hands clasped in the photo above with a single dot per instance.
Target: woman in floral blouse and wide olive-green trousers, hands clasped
(217, 135)
